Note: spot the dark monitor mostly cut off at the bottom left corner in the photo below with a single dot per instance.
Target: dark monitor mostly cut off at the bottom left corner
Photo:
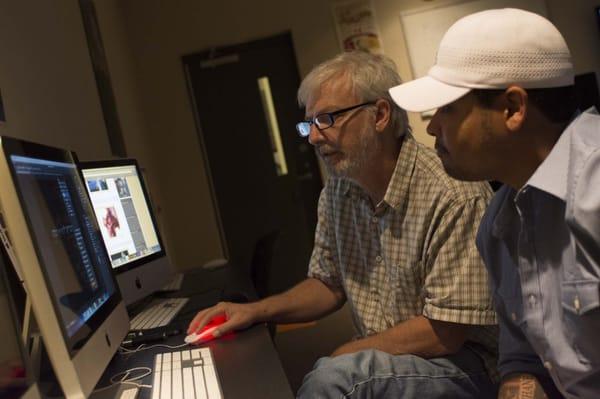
(16, 377)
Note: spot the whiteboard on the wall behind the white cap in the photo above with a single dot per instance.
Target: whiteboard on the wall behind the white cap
(424, 27)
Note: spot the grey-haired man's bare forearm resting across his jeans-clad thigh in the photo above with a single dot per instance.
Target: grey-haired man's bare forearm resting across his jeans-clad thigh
(419, 336)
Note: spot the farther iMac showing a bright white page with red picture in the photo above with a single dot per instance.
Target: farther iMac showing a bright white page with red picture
(124, 212)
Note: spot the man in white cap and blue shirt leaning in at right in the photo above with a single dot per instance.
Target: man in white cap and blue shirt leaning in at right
(506, 110)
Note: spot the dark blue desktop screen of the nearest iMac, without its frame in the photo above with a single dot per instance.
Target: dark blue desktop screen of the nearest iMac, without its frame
(75, 263)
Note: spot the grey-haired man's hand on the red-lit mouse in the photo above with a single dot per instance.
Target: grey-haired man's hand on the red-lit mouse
(238, 316)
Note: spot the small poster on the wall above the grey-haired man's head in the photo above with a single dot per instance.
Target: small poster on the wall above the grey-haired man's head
(356, 27)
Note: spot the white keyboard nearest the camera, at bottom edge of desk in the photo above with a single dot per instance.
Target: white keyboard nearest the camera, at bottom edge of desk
(188, 374)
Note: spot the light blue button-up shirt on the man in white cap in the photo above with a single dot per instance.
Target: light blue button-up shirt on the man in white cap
(541, 246)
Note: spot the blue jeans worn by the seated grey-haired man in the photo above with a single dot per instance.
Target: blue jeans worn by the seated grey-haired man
(375, 374)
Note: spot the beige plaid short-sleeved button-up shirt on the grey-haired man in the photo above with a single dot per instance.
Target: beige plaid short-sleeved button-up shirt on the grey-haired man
(413, 254)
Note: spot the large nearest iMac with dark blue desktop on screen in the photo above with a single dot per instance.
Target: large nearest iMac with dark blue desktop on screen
(58, 247)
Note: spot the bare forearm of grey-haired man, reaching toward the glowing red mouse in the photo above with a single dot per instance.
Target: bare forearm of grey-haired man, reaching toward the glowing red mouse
(309, 300)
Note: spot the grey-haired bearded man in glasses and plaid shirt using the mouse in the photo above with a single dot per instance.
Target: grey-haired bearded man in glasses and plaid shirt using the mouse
(396, 240)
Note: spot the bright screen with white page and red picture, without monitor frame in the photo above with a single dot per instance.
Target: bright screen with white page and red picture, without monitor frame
(123, 212)
